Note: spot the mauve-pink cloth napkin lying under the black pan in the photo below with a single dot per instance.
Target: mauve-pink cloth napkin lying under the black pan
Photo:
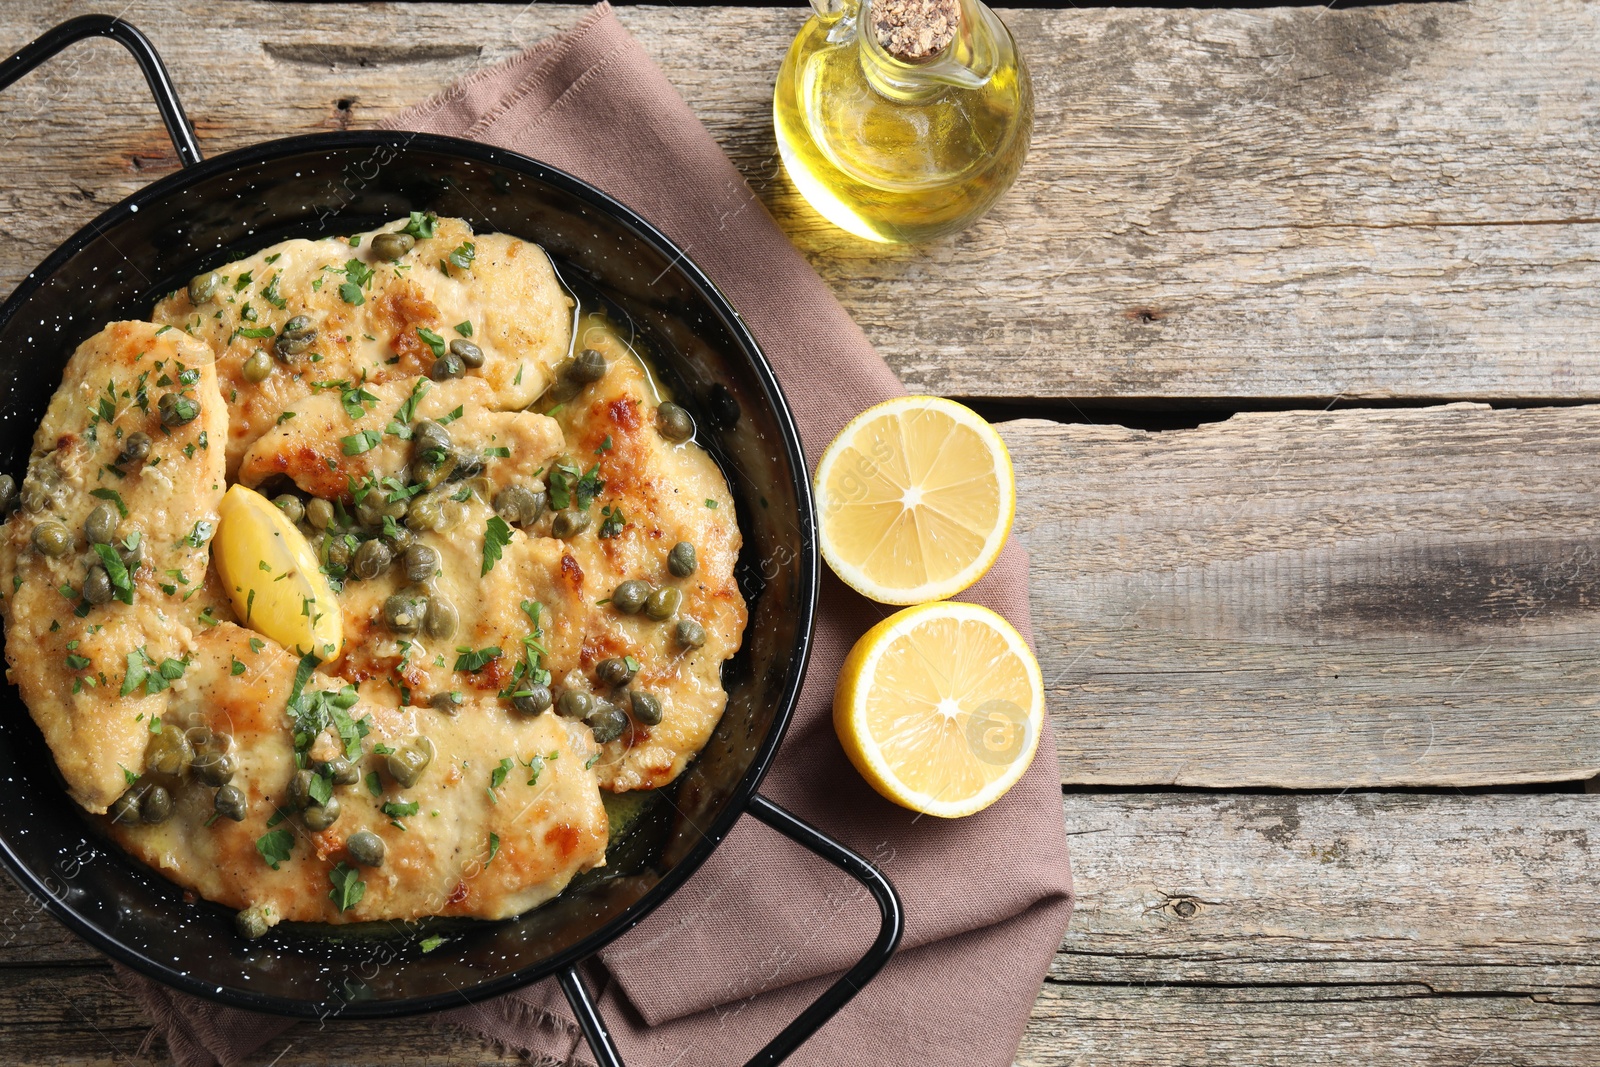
(764, 925)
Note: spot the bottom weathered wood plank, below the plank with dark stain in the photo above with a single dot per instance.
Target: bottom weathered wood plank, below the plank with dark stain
(1212, 930)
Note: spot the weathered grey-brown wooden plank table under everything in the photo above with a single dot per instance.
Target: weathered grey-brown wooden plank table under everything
(1298, 306)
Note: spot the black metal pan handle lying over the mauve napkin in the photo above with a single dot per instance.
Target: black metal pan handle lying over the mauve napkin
(833, 999)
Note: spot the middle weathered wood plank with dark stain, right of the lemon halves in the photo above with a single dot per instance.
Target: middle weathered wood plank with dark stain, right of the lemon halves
(1319, 601)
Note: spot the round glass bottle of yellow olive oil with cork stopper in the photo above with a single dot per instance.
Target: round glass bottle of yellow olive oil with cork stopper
(903, 121)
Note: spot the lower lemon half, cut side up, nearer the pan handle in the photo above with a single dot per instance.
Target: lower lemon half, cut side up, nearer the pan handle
(940, 708)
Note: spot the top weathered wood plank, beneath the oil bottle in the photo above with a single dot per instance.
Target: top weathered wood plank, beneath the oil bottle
(1241, 206)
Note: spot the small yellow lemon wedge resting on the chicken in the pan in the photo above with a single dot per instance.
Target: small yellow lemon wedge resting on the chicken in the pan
(274, 578)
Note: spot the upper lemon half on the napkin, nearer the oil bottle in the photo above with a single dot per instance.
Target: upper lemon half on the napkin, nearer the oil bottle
(916, 500)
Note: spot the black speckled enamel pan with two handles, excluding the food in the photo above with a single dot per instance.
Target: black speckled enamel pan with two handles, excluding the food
(234, 206)
